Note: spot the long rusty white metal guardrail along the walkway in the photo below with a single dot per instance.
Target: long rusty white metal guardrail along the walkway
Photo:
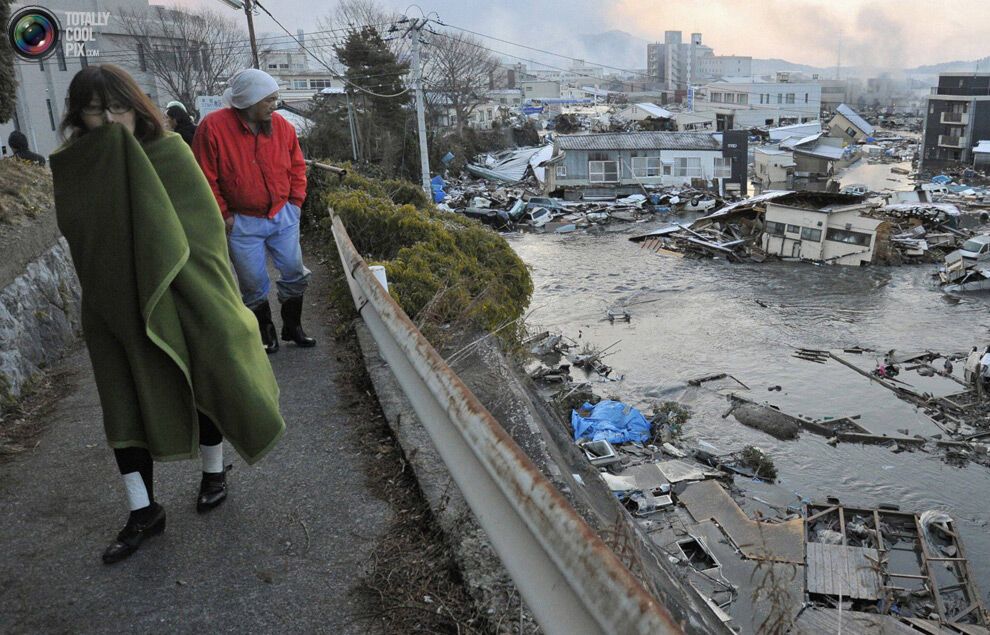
(568, 577)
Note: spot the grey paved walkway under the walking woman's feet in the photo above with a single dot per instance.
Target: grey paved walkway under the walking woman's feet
(280, 555)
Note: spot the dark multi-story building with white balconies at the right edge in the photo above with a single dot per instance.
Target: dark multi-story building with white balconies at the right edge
(957, 119)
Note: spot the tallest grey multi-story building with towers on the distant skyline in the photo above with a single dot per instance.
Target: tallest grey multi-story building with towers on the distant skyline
(677, 65)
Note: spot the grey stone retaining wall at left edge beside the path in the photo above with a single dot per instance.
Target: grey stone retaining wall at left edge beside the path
(39, 304)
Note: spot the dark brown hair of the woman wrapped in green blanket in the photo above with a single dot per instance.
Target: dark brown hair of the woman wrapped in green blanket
(110, 83)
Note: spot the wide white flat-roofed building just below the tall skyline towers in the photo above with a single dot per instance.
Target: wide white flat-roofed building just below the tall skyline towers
(747, 102)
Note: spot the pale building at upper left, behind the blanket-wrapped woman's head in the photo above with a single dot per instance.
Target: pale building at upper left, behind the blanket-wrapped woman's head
(42, 86)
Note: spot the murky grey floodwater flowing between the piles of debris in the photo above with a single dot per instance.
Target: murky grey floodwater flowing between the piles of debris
(692, 318)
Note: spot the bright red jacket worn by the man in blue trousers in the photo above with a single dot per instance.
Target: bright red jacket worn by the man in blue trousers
(250, 174)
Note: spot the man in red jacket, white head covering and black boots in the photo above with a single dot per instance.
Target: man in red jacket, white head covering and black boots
(251, 158)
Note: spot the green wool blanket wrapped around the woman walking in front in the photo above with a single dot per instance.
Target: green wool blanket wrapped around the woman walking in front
(164, 323)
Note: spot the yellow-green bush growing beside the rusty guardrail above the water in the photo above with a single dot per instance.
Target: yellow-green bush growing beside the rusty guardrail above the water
(442, 267)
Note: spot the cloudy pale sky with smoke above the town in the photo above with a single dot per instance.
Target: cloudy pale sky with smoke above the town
(877, 33)
